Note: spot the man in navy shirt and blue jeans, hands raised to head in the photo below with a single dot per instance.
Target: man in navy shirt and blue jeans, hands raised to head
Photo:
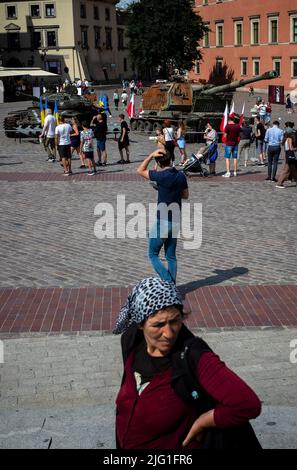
(172, 187)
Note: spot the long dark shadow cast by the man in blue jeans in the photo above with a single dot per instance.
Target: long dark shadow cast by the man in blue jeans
(220, 275)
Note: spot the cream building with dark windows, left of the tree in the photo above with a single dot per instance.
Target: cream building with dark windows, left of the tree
(74, 38)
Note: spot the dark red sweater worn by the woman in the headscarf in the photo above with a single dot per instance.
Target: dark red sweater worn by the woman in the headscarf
(159, 419)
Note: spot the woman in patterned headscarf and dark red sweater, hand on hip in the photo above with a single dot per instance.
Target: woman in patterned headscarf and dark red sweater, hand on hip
(150, 413)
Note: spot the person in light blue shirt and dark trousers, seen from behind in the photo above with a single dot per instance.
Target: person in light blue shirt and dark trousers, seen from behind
(273, 138)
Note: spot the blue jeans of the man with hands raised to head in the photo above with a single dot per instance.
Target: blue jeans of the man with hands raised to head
(164, 234)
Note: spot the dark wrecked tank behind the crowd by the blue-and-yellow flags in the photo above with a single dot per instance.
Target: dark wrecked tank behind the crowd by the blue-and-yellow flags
(27, 122)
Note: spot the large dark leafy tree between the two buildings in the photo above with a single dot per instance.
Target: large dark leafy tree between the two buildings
(165, 34)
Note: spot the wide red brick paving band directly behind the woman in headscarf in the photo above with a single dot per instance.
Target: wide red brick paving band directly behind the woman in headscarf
(55, 310)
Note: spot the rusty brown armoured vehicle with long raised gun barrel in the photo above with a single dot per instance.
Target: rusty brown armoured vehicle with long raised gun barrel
(196, 104)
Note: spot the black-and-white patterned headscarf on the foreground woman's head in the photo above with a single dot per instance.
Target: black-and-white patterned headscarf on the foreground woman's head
(147, 297)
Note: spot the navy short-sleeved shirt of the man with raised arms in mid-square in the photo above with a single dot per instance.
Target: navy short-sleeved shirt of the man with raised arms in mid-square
(171, 184)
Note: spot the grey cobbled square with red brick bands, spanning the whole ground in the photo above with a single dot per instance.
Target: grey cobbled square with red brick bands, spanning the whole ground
(57, 276)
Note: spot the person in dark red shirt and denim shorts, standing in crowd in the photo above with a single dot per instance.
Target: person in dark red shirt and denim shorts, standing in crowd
(231, 135)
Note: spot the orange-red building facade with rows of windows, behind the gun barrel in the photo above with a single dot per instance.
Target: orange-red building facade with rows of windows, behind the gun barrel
(250, 37)
